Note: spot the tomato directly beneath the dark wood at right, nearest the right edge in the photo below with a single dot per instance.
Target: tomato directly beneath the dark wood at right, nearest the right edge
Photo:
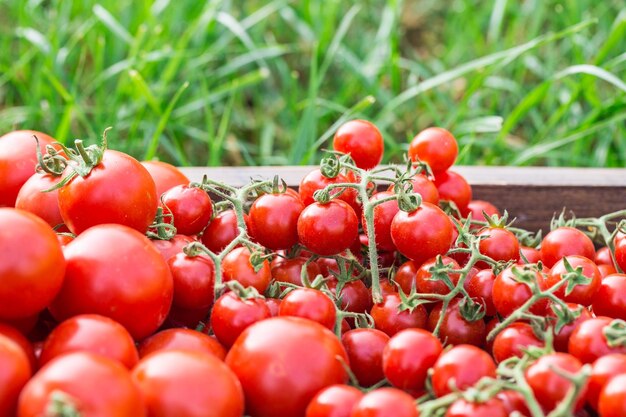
(565, 241)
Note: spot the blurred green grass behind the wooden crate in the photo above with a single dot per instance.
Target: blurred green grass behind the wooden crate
(211, 83)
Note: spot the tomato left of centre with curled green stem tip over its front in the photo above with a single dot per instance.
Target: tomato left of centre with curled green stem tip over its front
(236, 266)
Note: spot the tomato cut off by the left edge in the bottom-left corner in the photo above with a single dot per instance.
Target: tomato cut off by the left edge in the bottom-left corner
(15, 370)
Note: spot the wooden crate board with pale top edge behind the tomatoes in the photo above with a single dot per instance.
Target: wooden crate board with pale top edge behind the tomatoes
(531, 194)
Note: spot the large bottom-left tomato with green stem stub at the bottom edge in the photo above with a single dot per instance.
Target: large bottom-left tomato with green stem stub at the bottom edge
(79, 376)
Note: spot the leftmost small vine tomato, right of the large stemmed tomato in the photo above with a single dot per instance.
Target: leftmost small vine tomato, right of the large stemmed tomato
(191, 208)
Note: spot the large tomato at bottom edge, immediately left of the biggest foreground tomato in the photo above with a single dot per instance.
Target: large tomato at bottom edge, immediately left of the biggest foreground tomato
(188, 384)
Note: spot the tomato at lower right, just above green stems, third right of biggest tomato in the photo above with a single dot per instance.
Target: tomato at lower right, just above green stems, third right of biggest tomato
(463, 366)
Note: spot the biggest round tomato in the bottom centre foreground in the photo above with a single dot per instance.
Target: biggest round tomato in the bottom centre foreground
(308, 358)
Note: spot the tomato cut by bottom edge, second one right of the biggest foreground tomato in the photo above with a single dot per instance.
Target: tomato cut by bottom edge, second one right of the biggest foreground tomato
(385, 402)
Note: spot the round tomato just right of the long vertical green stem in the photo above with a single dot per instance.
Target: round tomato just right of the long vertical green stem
(422, 234)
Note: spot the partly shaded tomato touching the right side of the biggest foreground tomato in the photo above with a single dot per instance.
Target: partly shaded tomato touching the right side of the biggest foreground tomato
(365, 353)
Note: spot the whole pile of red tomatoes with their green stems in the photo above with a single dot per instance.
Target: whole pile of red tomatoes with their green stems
(126, 290)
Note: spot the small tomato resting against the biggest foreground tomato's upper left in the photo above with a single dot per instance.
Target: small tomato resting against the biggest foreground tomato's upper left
(231, 315)
